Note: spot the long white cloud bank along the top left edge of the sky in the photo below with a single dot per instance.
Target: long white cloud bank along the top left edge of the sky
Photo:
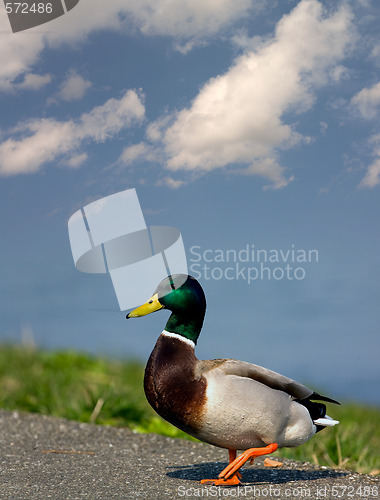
(185, 21)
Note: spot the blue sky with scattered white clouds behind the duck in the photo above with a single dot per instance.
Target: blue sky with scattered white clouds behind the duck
(238, 122)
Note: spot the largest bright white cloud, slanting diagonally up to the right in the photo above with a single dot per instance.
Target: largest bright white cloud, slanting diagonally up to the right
(238, 117)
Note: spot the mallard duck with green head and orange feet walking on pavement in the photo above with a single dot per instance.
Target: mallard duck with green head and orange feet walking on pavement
(224, 402)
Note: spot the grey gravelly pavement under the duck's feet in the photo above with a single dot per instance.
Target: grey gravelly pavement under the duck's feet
(45, 457)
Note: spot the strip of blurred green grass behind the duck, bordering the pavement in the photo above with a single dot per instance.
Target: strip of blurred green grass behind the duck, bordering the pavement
(90, 389)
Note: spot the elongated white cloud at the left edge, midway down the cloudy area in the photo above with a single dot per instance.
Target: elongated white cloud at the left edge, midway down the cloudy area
(44, 140)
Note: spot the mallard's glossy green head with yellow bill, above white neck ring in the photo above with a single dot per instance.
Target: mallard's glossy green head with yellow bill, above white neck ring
(182, 295)
